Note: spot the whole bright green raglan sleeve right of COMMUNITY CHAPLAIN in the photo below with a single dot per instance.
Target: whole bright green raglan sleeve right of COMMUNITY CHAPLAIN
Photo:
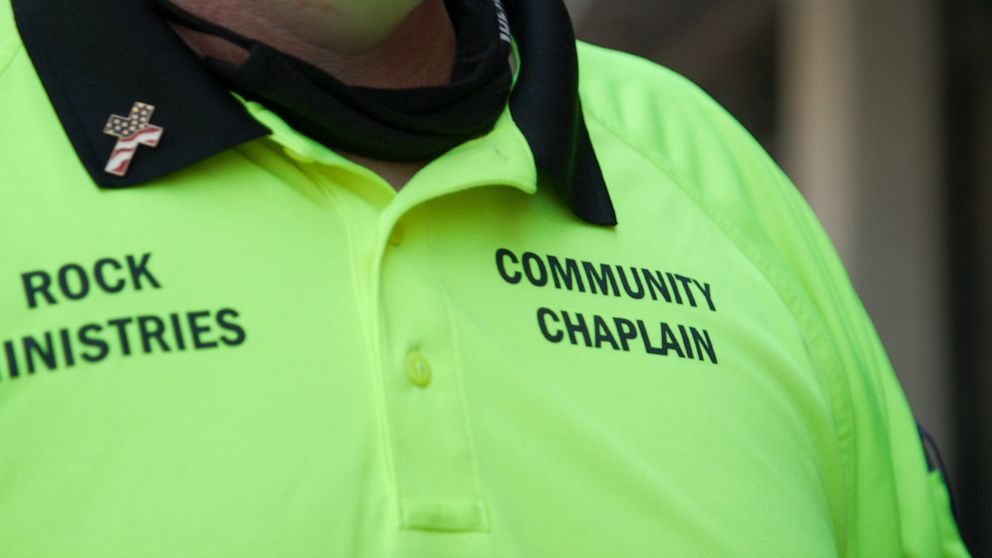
(893, 505)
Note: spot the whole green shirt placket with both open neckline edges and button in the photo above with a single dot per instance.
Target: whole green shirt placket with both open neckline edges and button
(416, 368)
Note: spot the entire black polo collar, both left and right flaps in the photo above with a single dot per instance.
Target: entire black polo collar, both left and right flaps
(99, 57)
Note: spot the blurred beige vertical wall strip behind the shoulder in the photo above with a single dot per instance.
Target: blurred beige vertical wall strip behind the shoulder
(862, 136)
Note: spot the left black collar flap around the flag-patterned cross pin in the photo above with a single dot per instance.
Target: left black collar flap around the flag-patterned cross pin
(99, 57)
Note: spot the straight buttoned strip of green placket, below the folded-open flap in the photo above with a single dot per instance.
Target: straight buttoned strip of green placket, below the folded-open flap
(429, 431)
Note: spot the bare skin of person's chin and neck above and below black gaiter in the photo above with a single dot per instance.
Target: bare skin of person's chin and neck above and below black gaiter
(394, 45)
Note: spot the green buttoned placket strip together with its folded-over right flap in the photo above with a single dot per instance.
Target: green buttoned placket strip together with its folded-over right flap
(421, 377)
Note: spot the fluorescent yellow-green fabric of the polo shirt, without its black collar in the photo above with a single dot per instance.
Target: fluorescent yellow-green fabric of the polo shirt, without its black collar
(300, 362)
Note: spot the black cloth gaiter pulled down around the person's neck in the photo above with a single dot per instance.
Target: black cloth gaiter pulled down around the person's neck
(388, 124)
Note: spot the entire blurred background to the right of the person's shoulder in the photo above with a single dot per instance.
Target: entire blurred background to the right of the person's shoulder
(881, 112)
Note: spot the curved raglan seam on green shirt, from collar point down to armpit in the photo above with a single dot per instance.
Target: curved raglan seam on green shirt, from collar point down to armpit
(834, 382)
